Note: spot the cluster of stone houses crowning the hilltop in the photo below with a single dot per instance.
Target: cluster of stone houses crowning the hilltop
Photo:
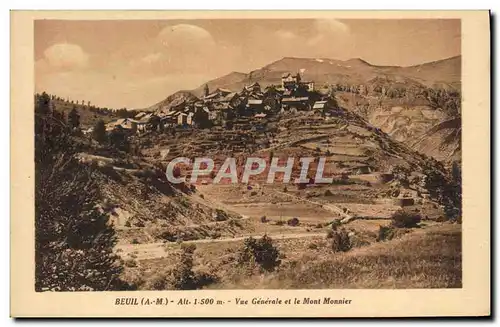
(220, 107)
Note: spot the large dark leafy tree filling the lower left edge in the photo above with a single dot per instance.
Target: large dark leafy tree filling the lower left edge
(73, 240)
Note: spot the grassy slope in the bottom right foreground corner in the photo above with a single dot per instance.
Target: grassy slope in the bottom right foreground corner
(422, 259)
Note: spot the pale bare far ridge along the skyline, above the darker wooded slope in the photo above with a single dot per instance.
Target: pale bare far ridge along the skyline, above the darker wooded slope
(442, 73)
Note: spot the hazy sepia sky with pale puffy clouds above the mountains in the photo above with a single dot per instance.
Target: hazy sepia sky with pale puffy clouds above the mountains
(136, 63)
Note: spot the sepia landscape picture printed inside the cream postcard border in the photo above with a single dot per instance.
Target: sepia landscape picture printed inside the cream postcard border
(226, 153)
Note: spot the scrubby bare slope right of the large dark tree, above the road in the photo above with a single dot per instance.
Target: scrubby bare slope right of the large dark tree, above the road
(145, 207)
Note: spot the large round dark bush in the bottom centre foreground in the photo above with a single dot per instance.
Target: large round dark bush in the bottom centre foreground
(261, 251)
